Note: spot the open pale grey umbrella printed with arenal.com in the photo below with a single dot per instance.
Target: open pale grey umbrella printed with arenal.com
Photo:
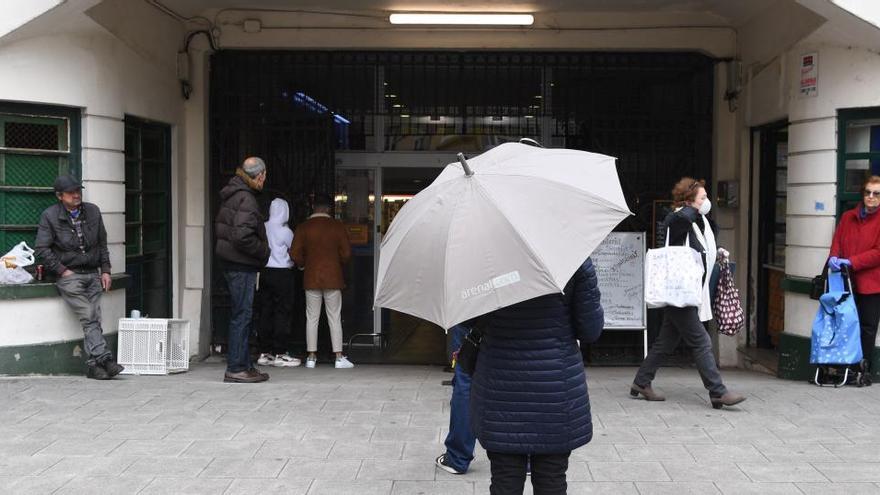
(509, 225)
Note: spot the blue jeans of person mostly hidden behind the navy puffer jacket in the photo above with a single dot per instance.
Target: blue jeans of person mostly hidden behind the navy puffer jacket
(460, 440)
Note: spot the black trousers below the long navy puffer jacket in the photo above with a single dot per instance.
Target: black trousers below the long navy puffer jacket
(509, 473)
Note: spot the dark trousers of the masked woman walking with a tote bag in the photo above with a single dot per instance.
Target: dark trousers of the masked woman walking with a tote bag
(682, 324)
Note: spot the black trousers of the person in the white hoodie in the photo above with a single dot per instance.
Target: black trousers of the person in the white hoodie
(276, 305)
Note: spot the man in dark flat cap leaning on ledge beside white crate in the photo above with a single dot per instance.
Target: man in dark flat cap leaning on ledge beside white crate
(72, 242)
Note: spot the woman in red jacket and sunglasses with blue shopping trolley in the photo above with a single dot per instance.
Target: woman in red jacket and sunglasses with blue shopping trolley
(857, 244)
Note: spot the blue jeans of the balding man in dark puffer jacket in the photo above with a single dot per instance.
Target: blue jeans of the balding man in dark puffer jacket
(241, 295)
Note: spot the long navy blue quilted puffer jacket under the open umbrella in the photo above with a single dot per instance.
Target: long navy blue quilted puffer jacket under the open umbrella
(529, 390)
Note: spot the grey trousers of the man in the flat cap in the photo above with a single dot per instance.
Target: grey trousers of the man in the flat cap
(82, 292)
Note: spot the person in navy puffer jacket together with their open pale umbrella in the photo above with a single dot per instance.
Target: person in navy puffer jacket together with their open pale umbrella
(508, 234)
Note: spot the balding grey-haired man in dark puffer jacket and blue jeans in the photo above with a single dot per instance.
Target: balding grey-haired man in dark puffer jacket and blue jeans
(243, 249)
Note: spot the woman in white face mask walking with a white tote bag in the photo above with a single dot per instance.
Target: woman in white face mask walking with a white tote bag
(683, 317)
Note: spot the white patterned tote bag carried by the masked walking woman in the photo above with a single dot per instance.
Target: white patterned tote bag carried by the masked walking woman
(673, 276)
